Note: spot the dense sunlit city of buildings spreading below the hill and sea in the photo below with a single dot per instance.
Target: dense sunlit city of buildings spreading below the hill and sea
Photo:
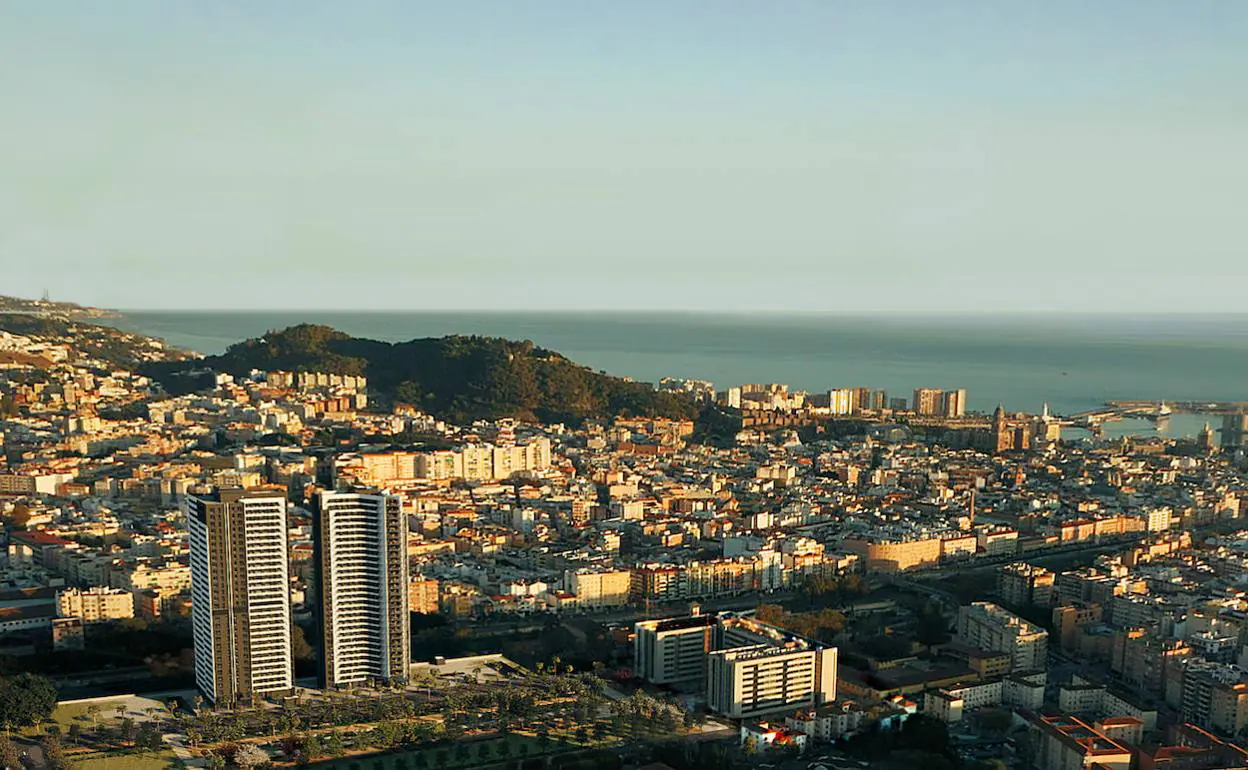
(284, 570)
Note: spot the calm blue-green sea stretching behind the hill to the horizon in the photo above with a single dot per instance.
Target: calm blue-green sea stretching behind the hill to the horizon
(1071, 363)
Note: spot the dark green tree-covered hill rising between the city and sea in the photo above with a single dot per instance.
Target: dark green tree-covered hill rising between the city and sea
(459, 379)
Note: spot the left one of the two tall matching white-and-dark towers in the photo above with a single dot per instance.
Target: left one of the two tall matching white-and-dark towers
(241, 597)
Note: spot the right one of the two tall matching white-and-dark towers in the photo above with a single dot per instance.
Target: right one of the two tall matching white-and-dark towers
(361, 553)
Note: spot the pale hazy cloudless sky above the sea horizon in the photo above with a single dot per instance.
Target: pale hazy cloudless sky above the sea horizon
(668, 154)
